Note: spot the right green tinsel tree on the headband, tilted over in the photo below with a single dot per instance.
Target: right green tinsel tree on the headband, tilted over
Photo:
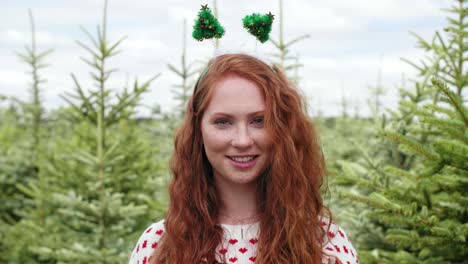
(259, 25)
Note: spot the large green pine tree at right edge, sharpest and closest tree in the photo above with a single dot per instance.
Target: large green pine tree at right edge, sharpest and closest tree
(415, 183)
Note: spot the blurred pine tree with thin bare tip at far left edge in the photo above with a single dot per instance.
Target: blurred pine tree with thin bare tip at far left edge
(20, 161)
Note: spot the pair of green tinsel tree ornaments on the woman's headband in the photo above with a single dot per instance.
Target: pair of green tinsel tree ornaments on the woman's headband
(207, 25)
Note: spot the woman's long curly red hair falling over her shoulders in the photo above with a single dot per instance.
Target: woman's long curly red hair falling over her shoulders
(288, 191)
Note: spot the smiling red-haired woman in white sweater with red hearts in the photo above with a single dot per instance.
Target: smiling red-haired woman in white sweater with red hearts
(247, 170)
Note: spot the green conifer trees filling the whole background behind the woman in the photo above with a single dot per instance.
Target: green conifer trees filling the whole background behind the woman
(84, 191)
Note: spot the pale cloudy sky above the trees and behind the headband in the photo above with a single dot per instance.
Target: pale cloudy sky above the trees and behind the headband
(350, 40)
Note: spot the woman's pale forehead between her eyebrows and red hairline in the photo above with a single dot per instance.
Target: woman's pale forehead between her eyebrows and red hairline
(235, 94)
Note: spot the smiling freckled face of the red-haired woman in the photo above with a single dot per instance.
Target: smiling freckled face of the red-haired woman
(234, 136)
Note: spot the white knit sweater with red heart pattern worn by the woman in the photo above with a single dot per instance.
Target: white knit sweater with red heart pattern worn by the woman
(240, 244)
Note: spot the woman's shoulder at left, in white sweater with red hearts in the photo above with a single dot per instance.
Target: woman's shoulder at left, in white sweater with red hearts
(147, 243)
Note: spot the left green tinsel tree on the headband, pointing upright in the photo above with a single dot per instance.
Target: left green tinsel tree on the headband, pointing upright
(207, 25)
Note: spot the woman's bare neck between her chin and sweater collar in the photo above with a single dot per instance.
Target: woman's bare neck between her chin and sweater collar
(239, 203)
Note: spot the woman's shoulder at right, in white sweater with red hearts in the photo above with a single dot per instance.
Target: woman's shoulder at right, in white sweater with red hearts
(336, 245)
